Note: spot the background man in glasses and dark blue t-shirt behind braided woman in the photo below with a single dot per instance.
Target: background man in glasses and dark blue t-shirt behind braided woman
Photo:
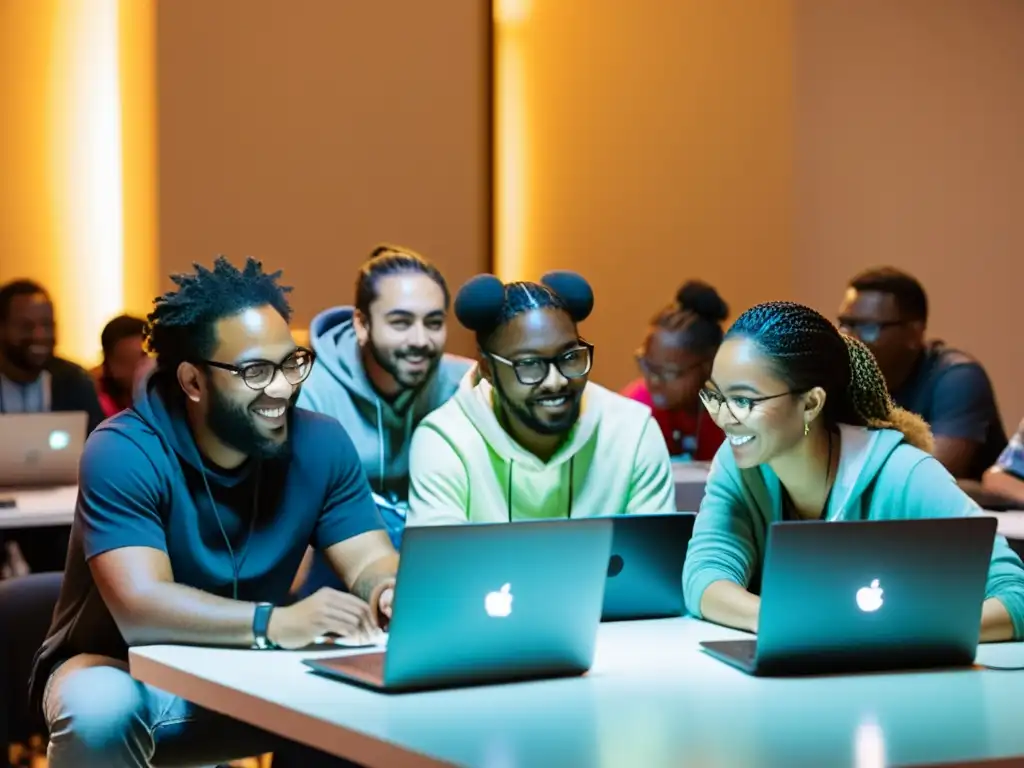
(888, 311)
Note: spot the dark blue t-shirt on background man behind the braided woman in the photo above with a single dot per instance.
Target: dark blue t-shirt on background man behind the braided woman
(952, 392)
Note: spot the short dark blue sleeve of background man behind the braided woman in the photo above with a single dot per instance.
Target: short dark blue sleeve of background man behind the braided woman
(963, 404)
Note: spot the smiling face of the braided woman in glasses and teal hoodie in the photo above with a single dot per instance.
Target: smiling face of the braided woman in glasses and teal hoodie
(756, 409)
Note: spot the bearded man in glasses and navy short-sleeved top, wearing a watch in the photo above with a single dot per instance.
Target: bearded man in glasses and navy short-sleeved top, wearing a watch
(195, 509)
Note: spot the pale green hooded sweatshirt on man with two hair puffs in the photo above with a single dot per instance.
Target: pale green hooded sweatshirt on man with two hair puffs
(466, 468)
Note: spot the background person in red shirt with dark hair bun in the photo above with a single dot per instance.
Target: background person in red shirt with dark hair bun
(675, 360)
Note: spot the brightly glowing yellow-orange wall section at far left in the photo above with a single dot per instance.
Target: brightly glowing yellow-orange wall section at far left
(76, 93)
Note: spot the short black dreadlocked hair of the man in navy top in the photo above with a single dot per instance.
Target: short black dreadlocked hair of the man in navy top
(183, 325)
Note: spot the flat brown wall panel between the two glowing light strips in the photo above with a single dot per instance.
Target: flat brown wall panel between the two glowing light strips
(306, 133)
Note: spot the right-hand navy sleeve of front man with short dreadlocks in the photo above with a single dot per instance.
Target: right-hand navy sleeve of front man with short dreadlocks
(349, 506)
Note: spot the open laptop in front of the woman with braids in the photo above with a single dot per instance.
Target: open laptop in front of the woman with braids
(868, 595)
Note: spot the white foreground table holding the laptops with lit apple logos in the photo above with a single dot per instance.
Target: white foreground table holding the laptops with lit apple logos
(652, 700)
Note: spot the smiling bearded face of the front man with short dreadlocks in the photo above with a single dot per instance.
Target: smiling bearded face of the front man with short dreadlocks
(250, 421)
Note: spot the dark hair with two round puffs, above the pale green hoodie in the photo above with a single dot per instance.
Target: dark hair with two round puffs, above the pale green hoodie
(485, 305)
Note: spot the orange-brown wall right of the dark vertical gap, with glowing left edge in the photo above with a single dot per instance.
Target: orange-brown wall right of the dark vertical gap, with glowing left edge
(773, 149)
